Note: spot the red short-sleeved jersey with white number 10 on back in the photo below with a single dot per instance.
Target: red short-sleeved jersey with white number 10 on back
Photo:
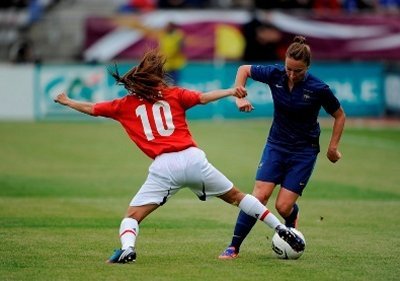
(158, 127)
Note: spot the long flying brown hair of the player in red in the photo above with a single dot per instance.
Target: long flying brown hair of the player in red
(146, 79)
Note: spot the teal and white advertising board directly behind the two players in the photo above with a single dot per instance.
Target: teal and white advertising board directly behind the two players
(358, 86)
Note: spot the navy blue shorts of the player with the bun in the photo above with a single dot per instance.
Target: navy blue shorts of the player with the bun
(291, 170)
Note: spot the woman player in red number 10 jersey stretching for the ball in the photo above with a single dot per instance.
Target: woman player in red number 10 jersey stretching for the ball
(153, 115)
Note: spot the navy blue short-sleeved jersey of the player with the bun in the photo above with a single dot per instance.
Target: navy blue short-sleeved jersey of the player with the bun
(295, 126)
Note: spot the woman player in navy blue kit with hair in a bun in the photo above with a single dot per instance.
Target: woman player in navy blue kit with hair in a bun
(292, 146)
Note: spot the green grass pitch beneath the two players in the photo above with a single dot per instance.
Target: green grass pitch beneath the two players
(65, 186)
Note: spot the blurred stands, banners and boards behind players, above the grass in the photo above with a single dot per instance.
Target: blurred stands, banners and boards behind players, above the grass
(50, 46)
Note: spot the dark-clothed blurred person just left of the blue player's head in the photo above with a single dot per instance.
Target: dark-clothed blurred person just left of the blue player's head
(262, 41)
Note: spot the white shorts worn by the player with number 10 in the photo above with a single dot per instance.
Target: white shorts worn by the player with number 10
(170, 172)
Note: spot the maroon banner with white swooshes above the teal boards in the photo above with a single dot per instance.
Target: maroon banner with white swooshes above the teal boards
(332, 36)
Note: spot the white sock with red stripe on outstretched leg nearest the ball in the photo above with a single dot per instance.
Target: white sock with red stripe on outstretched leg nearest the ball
(251, 206)
